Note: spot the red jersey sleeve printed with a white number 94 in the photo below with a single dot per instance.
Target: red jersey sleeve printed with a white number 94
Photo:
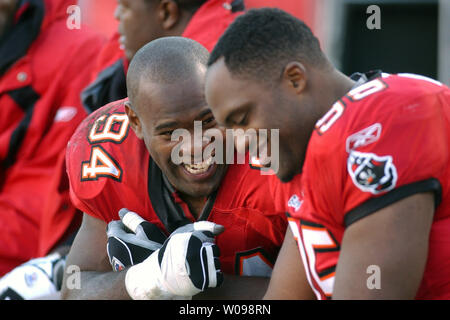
(93, 165)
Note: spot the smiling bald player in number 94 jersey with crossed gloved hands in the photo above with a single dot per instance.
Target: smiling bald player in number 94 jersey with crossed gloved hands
(121, 156)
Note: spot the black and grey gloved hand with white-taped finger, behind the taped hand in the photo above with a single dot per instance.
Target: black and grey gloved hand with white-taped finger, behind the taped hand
(131, 240)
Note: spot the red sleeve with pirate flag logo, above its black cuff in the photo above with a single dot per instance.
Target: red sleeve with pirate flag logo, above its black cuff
(392, 142)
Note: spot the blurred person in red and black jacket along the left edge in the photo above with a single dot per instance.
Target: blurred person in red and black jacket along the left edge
(43, 68)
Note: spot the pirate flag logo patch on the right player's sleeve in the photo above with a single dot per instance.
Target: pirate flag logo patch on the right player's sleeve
(372, 173)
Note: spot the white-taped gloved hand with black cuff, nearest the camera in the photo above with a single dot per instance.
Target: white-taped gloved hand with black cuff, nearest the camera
(187, 264)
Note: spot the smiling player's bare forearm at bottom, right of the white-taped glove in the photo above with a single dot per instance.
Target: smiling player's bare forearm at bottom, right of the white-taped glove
(237, 288)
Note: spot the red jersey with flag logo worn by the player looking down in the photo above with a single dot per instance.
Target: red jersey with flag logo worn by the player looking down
(385, 140)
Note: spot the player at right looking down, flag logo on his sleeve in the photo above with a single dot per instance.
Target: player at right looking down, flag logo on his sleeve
(373, 153)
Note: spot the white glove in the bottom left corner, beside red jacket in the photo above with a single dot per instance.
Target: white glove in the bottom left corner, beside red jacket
(36, 279)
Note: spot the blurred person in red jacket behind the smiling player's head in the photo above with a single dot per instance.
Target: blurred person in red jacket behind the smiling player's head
(141, 21)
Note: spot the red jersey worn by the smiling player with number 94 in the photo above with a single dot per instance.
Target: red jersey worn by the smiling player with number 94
(109, 168)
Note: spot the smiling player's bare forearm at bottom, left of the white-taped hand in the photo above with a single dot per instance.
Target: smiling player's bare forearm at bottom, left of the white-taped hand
(96, 286)
